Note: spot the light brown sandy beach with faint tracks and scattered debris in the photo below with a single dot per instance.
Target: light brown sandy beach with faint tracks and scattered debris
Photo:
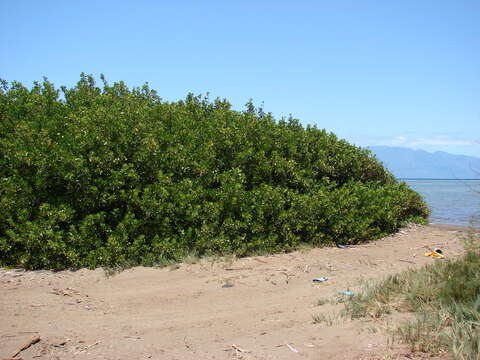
(248, 308)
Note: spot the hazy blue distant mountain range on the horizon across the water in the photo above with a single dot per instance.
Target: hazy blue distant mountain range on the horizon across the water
(408, 163)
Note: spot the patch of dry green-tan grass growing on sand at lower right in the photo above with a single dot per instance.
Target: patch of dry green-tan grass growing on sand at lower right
(443, 297)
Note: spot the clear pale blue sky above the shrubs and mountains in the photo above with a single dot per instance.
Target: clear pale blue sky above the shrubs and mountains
(400, 73)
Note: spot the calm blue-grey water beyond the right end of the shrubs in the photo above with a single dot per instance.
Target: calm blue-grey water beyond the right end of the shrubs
(454, 202)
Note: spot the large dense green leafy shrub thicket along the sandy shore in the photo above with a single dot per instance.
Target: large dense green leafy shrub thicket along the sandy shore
(93, 176)
